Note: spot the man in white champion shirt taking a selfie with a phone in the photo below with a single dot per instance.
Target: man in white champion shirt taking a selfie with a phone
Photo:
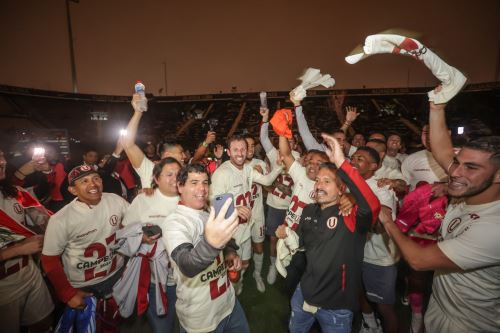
(196, 242)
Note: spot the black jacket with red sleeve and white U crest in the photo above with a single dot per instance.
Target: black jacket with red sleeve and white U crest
(334, 246)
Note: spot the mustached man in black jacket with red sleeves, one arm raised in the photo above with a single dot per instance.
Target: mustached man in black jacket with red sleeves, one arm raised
(332, 245)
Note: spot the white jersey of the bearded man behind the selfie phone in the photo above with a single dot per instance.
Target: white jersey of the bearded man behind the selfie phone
(229, 179)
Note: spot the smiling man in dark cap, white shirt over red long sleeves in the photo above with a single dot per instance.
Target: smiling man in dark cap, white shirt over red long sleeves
(77, 253)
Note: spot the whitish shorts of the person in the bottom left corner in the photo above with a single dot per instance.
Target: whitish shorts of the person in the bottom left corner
(33, 306)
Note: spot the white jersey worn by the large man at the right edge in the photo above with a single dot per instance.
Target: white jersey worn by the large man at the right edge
(468, 300)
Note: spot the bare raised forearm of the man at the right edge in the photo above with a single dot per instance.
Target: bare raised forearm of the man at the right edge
(441, 146)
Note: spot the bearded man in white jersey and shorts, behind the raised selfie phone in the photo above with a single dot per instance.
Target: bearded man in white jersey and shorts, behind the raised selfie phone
(236, 177)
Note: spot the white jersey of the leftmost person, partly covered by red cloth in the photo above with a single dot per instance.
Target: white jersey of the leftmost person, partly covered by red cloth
(16, 274)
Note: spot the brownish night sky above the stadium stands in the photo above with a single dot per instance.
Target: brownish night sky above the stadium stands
(212, 46)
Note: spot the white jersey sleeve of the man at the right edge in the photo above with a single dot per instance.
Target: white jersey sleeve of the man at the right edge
(476, 247)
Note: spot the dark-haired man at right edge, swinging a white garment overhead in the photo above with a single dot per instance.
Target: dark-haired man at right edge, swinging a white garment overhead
(466, 259)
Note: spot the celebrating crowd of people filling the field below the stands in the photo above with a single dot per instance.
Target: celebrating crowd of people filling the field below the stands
(344, 217)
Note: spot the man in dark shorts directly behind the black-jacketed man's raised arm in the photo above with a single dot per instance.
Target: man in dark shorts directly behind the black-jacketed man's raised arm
(381, 256)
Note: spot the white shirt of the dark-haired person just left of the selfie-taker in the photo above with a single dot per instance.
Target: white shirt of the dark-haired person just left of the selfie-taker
(152, 209)
